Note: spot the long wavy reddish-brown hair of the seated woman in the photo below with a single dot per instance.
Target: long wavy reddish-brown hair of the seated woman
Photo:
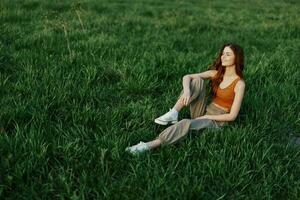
(217, 65)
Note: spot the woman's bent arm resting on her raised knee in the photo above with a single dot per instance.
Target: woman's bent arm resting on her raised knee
(186, 83)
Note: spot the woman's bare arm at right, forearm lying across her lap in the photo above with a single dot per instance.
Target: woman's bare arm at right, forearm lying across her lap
(235, 108)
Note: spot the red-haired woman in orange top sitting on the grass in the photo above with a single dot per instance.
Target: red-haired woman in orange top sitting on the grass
(227, 88)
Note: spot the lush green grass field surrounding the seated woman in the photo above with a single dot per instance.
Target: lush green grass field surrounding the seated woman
(82, 80)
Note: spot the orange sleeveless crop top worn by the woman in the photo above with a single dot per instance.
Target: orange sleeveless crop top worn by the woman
(224, 97)
